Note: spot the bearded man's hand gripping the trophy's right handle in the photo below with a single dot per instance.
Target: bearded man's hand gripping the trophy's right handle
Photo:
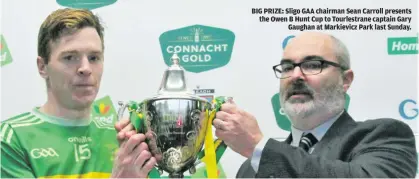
(238, 129)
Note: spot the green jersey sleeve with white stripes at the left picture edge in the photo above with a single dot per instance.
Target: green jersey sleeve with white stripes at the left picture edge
(13, 160)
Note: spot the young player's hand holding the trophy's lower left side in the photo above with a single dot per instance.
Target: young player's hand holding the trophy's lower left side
(133, 159)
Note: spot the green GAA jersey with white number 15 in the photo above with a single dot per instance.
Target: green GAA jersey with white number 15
(35, 145)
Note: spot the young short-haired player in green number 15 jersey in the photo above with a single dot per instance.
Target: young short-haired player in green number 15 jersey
(60, 139)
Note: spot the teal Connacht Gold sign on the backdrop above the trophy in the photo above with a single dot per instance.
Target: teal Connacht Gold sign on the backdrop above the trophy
(200, 48)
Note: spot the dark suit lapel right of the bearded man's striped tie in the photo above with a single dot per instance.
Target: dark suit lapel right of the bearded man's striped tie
(340, 127)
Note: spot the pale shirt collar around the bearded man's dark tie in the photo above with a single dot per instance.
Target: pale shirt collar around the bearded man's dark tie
(318, 132)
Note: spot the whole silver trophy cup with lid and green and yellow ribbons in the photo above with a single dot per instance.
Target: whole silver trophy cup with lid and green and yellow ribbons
(175, 121)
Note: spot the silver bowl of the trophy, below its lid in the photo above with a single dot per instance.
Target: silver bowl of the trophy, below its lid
(178, 127)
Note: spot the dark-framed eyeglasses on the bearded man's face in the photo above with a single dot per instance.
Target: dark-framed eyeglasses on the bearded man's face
(312, 65)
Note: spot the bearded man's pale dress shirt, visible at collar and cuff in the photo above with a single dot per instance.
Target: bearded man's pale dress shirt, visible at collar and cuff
(318, 132)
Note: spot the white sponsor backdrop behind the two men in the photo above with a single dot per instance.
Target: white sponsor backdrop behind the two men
(134, 61)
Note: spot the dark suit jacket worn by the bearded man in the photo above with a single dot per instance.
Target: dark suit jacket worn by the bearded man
(373, 148)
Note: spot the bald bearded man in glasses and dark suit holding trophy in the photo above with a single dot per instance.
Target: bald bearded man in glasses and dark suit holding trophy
(325, 141)
